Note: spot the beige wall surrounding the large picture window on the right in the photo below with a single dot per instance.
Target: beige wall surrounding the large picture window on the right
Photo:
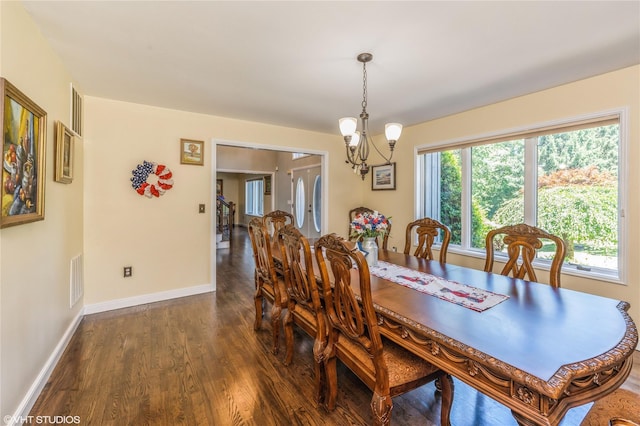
(613, 90)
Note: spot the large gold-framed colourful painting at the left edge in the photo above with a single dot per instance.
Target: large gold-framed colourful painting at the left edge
(24, 128)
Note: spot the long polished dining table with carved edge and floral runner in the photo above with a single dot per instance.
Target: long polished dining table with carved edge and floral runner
(536, 349)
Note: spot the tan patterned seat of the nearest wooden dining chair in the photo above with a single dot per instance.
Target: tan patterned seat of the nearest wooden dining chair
(403, 366)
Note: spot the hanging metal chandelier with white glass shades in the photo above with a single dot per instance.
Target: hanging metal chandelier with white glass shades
(357, 142)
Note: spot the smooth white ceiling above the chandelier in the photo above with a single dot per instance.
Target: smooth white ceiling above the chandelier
(293, 63)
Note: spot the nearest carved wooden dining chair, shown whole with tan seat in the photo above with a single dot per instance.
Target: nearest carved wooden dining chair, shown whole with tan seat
(354, 337)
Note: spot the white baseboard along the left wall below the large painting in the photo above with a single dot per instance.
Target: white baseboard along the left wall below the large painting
(41, 380)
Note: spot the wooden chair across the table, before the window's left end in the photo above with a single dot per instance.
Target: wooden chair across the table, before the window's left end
(427, 230)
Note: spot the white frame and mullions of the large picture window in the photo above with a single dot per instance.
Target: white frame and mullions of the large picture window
(619, 115)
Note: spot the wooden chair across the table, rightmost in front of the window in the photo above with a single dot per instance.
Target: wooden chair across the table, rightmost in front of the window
(522, 241)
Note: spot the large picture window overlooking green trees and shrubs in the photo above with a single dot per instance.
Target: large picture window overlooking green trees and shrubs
(565, 179)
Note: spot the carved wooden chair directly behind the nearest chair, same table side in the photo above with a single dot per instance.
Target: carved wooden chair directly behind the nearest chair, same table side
(304, 307)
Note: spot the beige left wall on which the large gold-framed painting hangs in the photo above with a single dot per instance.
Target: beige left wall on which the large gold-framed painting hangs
(34, 267)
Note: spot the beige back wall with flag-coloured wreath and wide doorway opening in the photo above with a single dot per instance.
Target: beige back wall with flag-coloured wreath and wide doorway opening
(165, 239)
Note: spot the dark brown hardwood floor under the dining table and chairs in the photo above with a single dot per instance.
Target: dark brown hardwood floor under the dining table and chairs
(198, 361)
